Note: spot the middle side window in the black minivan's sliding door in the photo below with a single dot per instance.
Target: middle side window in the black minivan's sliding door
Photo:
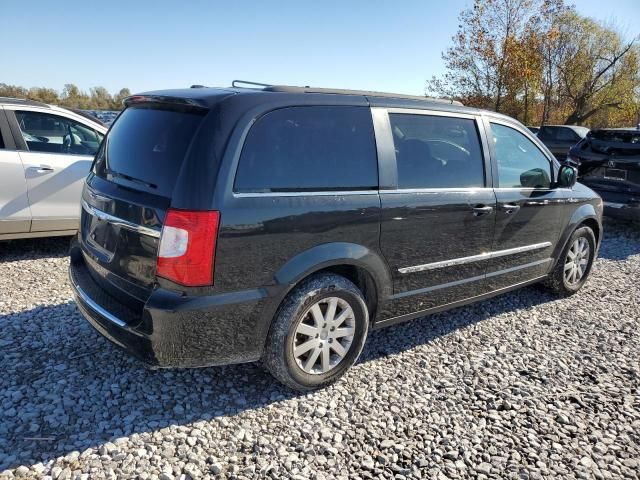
(437, 152)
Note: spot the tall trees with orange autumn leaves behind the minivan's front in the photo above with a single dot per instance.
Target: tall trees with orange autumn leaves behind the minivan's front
(542, 62)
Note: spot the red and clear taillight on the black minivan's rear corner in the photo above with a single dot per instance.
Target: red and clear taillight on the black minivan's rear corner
(186, 254)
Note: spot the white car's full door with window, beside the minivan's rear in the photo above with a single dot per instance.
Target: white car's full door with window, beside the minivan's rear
(57, 152)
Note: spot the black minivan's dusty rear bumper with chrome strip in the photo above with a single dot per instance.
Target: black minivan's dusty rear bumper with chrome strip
(175, 331)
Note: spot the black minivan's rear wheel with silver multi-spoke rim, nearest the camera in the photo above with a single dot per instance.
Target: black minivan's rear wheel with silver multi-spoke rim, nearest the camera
(318, 332)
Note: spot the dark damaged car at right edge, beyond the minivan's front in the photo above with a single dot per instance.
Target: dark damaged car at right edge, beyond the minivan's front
(608, 161)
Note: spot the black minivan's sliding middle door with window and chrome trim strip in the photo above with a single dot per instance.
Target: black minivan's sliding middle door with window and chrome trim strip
(438, 207)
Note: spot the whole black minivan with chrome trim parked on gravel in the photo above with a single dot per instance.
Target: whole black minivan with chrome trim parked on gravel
(283, 223)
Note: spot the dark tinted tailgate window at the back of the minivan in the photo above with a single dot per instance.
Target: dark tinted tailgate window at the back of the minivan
(145, 148)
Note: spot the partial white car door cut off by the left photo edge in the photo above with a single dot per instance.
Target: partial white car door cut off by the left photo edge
(15, 215)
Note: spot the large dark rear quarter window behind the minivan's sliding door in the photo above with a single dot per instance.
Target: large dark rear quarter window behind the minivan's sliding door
(309, 148)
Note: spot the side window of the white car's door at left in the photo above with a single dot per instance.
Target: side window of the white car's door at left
(44, 132)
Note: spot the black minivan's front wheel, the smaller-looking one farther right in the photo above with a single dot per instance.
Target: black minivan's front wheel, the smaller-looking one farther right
(575, 262)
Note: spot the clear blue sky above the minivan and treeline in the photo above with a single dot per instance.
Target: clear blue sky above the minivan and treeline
(392, 45)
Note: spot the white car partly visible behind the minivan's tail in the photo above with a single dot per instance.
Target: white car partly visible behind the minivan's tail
(45, 153)
